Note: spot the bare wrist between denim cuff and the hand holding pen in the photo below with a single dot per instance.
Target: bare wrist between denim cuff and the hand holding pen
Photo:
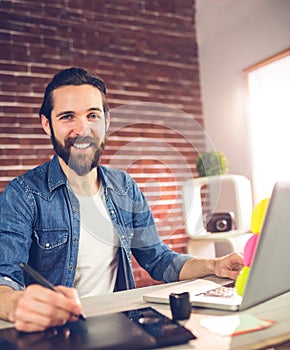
(8, 300)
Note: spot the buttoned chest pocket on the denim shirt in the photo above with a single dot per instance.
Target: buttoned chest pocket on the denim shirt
(50, 249)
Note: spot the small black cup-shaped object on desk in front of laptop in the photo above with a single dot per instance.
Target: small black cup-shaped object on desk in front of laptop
(180, 306)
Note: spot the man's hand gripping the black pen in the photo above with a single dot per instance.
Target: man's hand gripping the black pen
(37, 308)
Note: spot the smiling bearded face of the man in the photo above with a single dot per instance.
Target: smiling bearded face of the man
(78, 126)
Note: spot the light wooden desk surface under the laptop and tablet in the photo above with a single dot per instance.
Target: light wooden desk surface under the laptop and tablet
(277, 309)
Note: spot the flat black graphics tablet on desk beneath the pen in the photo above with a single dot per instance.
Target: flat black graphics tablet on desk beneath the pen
(140, 329)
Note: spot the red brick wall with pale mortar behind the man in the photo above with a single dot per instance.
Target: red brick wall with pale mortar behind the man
(147, 53)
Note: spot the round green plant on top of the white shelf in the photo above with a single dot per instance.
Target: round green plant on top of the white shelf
(211, 163)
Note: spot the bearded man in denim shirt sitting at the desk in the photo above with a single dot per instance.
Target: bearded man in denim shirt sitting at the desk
(77, 222)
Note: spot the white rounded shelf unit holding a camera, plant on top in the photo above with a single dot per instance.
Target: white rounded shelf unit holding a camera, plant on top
(202, 243)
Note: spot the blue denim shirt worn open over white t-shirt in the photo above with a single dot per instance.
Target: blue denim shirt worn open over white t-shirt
(40, 224)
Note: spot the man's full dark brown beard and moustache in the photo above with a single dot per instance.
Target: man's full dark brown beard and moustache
(83, 162)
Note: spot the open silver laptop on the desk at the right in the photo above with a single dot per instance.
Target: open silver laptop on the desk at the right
(268, 277)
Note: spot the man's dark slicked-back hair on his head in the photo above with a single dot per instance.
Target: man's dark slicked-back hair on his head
(71, 76)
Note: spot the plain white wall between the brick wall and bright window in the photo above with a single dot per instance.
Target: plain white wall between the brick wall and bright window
(233, 35)
